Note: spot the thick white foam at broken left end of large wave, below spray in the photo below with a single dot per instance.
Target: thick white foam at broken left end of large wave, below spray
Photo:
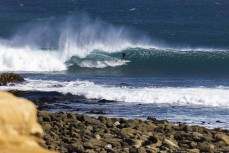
(28, 59)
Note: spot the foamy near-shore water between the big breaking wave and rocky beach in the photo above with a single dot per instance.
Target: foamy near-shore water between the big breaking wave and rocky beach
(161, 98)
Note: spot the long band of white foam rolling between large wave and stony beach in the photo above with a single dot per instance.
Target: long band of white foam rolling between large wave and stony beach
(169, 95)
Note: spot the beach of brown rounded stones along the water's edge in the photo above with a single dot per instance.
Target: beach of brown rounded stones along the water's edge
(68, 133)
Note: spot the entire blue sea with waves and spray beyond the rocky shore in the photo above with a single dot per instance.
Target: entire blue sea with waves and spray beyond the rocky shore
(176, 66)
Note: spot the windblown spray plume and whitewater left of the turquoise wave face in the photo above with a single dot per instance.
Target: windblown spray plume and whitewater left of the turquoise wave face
(47, 45)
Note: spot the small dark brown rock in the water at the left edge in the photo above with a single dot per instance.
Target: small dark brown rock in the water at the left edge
(6, 78)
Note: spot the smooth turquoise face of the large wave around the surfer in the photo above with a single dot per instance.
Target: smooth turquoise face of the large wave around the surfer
(140, 61)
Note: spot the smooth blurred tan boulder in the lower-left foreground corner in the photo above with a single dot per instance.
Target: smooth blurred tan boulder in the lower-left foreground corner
(19, 130)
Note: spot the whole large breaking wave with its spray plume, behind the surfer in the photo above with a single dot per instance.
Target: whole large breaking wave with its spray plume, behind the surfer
(81, 44)
